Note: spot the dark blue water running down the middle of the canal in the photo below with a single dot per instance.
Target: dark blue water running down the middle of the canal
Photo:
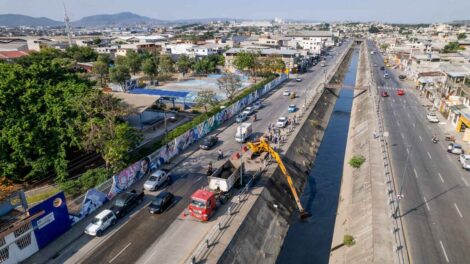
(310, 241)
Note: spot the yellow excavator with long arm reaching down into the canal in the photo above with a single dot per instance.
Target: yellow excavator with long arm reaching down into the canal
(263, 146)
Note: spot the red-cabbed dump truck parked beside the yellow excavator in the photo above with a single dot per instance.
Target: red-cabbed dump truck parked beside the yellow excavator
(204, 202)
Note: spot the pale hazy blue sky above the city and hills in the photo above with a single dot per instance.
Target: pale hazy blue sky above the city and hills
(398, 11)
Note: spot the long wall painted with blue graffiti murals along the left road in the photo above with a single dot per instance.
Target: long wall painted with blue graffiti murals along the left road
(136, 171)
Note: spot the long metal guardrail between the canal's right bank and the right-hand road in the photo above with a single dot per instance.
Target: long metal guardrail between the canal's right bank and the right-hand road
(400, 243)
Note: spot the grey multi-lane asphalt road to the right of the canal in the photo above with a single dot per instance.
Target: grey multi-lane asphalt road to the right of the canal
(435, 206)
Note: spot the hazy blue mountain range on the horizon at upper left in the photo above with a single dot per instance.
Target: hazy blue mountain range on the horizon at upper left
(119, 19)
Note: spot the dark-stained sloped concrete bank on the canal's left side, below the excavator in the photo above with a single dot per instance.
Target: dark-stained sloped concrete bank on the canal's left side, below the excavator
(260, 236)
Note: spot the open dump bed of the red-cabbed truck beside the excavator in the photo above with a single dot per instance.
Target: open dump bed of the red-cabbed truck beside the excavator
(224, 177)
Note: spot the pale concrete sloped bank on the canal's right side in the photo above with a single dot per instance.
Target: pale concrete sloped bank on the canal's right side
(362, 209)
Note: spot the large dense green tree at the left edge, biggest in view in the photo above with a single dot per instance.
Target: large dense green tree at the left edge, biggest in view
(39, 117)
